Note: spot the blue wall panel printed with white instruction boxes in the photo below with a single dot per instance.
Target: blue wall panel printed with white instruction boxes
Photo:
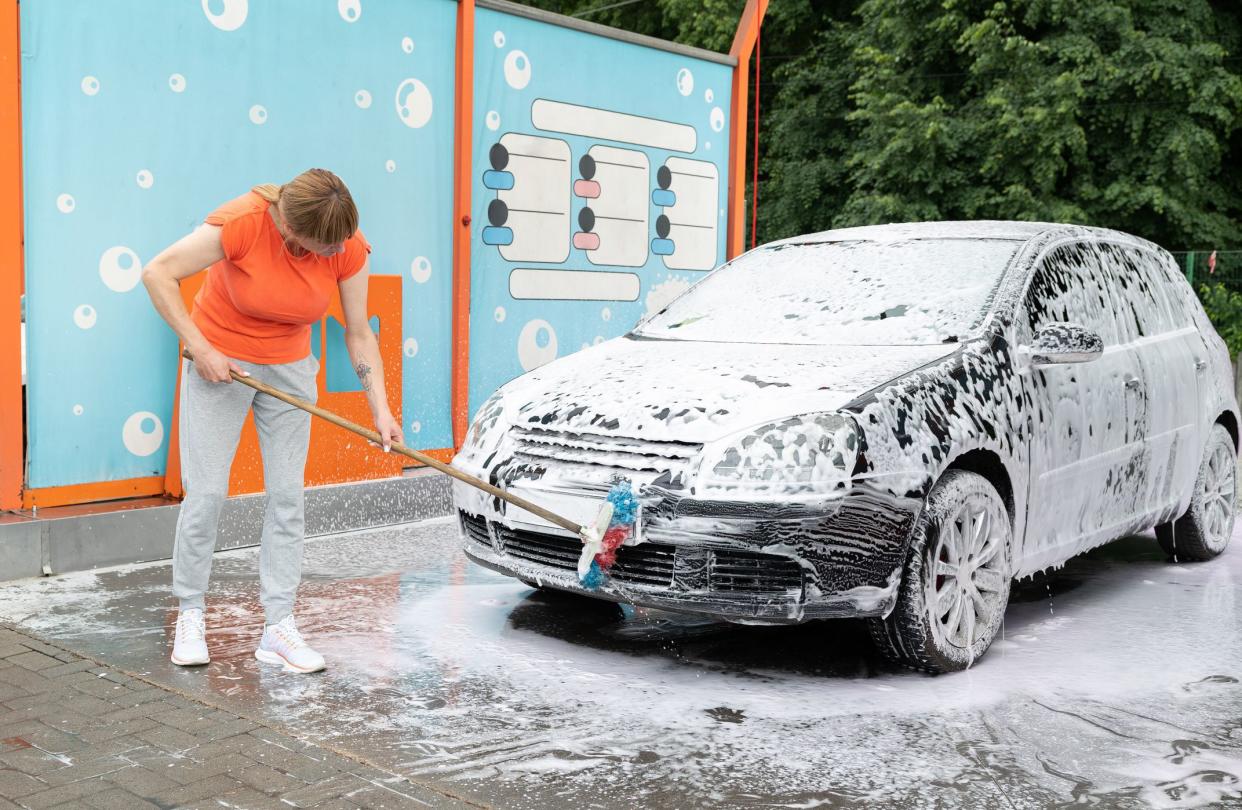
(543, 126)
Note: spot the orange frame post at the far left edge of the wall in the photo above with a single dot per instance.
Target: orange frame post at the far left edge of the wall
(13, 463)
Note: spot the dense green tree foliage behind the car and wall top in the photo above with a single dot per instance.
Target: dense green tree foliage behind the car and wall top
(1120, 114)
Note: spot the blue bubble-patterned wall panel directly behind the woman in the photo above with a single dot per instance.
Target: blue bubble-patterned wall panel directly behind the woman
(147, 116)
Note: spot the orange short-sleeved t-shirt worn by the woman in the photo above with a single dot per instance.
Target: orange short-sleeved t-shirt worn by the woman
(259, 303)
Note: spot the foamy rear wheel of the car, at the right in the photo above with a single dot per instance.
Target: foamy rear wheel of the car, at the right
(1204, 531)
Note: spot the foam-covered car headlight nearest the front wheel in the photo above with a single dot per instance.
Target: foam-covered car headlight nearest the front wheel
(810, 455)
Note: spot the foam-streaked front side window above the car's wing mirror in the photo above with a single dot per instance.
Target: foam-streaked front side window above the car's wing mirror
(1071, 285)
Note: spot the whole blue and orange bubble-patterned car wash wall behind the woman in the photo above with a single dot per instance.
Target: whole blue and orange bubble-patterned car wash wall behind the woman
(593, 167)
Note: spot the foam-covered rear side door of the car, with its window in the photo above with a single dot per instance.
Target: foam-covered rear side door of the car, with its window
(1161, 335)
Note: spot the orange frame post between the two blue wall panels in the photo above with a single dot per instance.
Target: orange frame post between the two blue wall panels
(464, 152)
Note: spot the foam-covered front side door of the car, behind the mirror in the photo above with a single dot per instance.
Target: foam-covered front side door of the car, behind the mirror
(1080, 427)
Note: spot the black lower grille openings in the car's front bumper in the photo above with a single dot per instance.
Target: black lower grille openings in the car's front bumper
(730, 571)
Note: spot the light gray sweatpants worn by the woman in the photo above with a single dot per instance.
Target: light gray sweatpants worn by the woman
(211, 425)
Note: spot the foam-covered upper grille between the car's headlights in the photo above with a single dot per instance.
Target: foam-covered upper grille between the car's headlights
(608, 453)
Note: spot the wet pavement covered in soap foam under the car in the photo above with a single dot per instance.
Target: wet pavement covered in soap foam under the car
(1117, 685)
